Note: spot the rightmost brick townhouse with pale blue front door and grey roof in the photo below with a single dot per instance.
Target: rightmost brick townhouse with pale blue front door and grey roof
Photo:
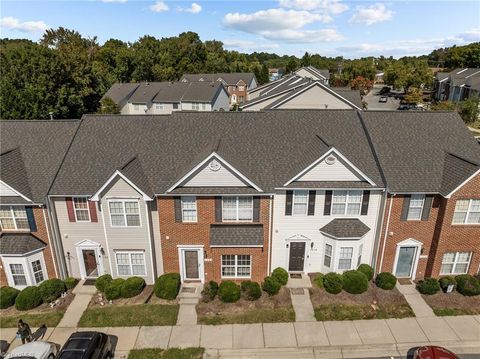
(432, 214)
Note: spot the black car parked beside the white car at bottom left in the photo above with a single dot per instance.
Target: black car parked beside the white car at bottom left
(87, 345)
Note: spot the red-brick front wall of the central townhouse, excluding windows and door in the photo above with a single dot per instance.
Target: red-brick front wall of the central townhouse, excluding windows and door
(178, 233)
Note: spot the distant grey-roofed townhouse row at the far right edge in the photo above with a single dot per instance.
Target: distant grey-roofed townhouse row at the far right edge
(457, 85)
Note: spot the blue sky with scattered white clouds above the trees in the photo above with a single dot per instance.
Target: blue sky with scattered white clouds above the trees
(329, 27)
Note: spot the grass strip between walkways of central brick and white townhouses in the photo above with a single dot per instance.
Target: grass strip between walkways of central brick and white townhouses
(277, 315)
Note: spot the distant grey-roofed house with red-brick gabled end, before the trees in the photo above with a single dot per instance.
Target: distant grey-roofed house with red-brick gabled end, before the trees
(238, 84)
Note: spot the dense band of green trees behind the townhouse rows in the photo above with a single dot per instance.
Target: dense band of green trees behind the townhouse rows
(64, 75)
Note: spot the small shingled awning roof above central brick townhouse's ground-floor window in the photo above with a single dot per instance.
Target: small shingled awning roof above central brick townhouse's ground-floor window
(236, 235)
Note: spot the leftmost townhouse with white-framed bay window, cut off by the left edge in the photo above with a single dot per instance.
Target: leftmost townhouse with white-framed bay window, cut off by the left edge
(31, 154)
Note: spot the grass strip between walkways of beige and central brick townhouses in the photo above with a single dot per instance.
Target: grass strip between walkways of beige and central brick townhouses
(130, 316)
